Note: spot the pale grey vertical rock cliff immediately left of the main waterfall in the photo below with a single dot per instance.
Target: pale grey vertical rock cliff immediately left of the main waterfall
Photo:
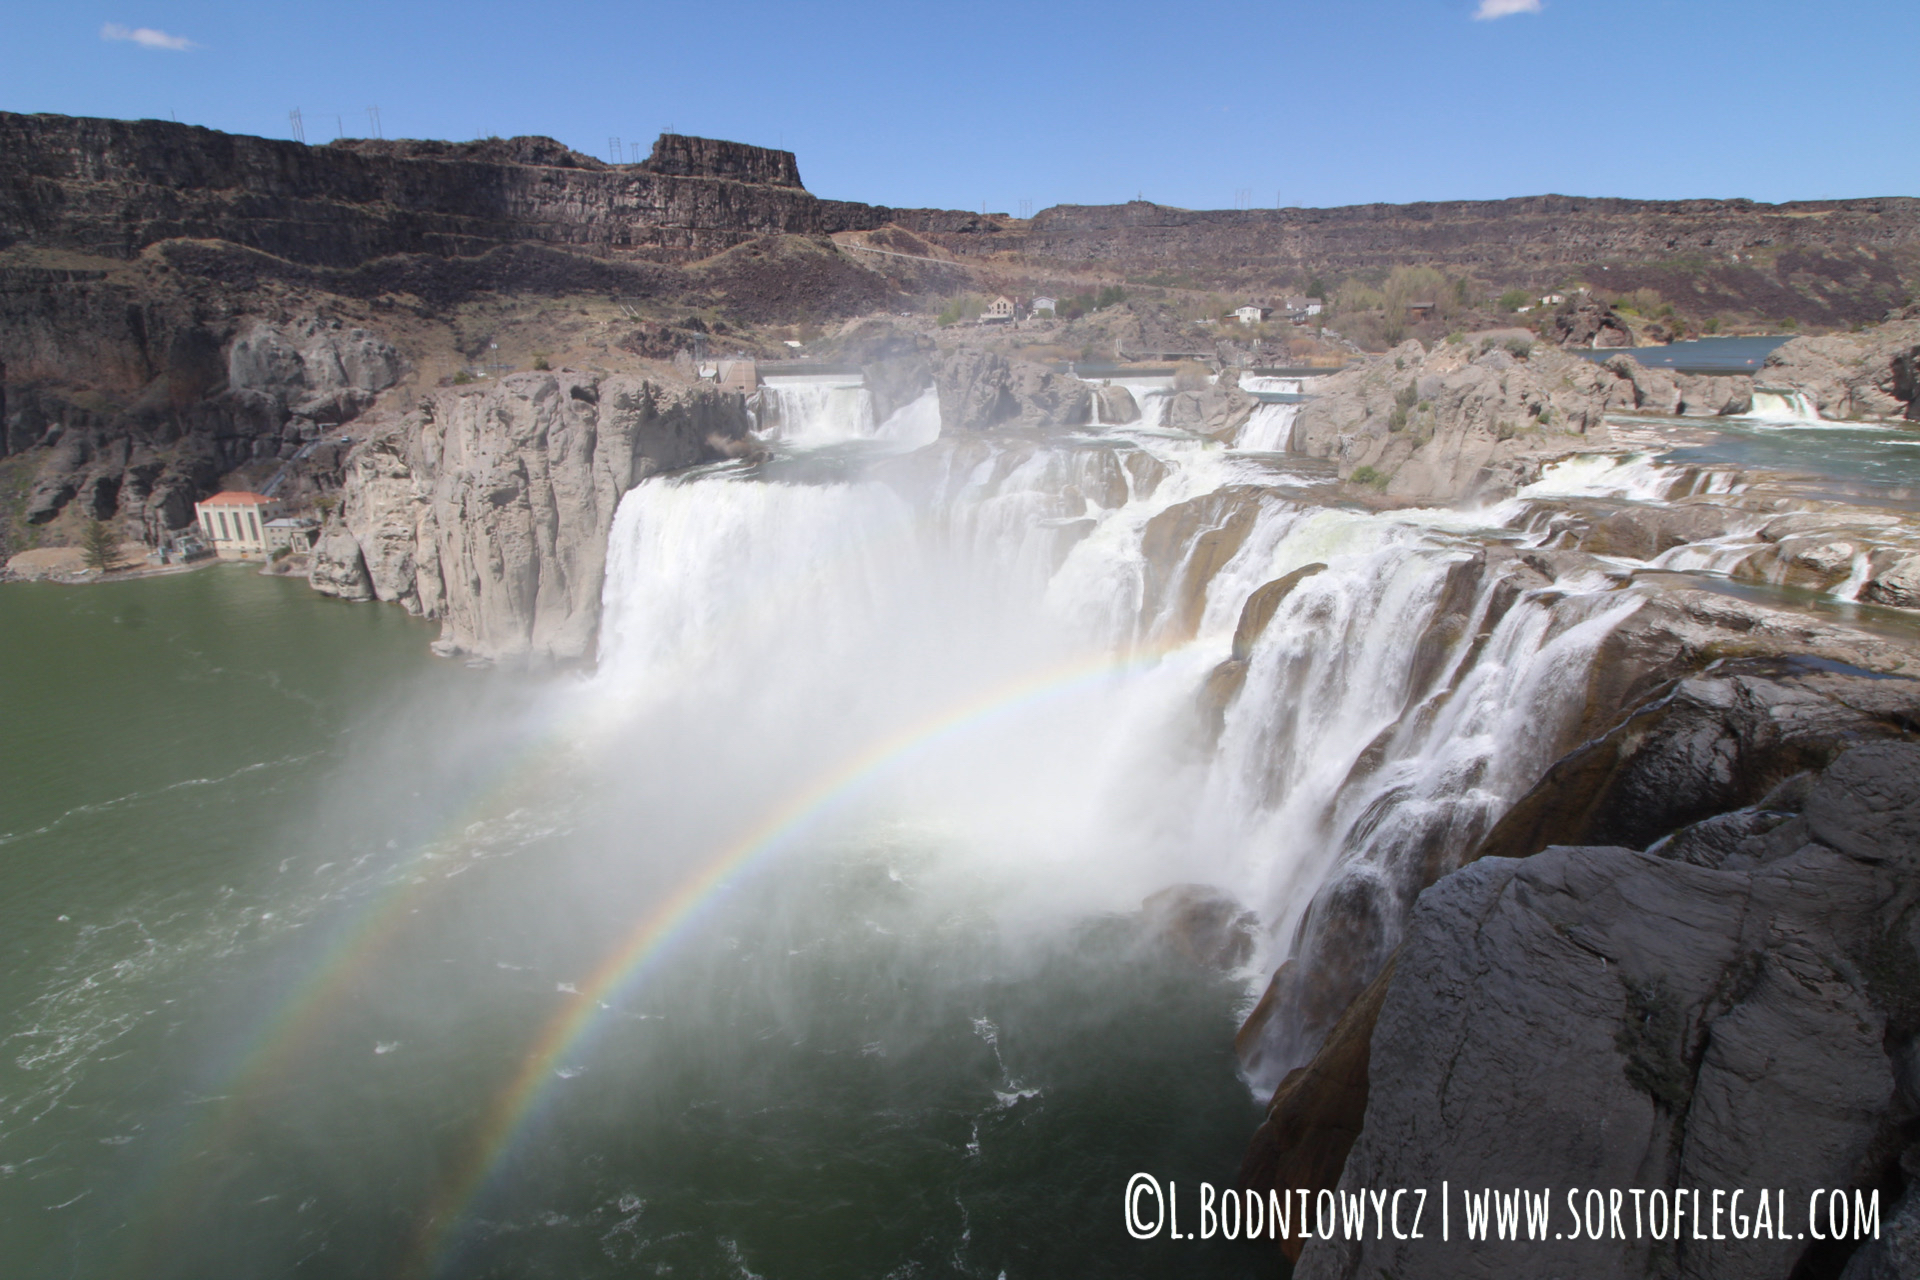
(491, 510)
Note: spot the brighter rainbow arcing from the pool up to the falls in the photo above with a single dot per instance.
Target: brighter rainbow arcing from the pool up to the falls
(516, 1106)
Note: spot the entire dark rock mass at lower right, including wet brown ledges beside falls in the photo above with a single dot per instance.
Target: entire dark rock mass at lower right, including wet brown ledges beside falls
(1691, 955)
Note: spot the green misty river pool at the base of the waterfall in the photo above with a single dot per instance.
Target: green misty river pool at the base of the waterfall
(285, 905)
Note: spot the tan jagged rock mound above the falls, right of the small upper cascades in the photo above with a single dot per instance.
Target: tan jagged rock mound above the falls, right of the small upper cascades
(1468, 419)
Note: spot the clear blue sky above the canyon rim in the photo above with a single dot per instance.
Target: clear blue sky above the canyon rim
(965, 105)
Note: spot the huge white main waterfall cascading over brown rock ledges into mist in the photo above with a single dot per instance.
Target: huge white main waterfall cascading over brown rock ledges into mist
(1412, 684)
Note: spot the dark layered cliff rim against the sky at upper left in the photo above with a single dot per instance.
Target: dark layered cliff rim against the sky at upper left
(116, 187)
